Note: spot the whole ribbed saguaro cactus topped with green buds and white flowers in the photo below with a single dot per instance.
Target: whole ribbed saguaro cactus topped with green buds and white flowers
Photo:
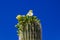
(29, 27)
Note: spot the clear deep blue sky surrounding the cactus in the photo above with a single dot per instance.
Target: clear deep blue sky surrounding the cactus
(48, 11)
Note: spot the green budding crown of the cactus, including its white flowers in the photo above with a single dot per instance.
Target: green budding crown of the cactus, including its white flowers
(26, 20)
